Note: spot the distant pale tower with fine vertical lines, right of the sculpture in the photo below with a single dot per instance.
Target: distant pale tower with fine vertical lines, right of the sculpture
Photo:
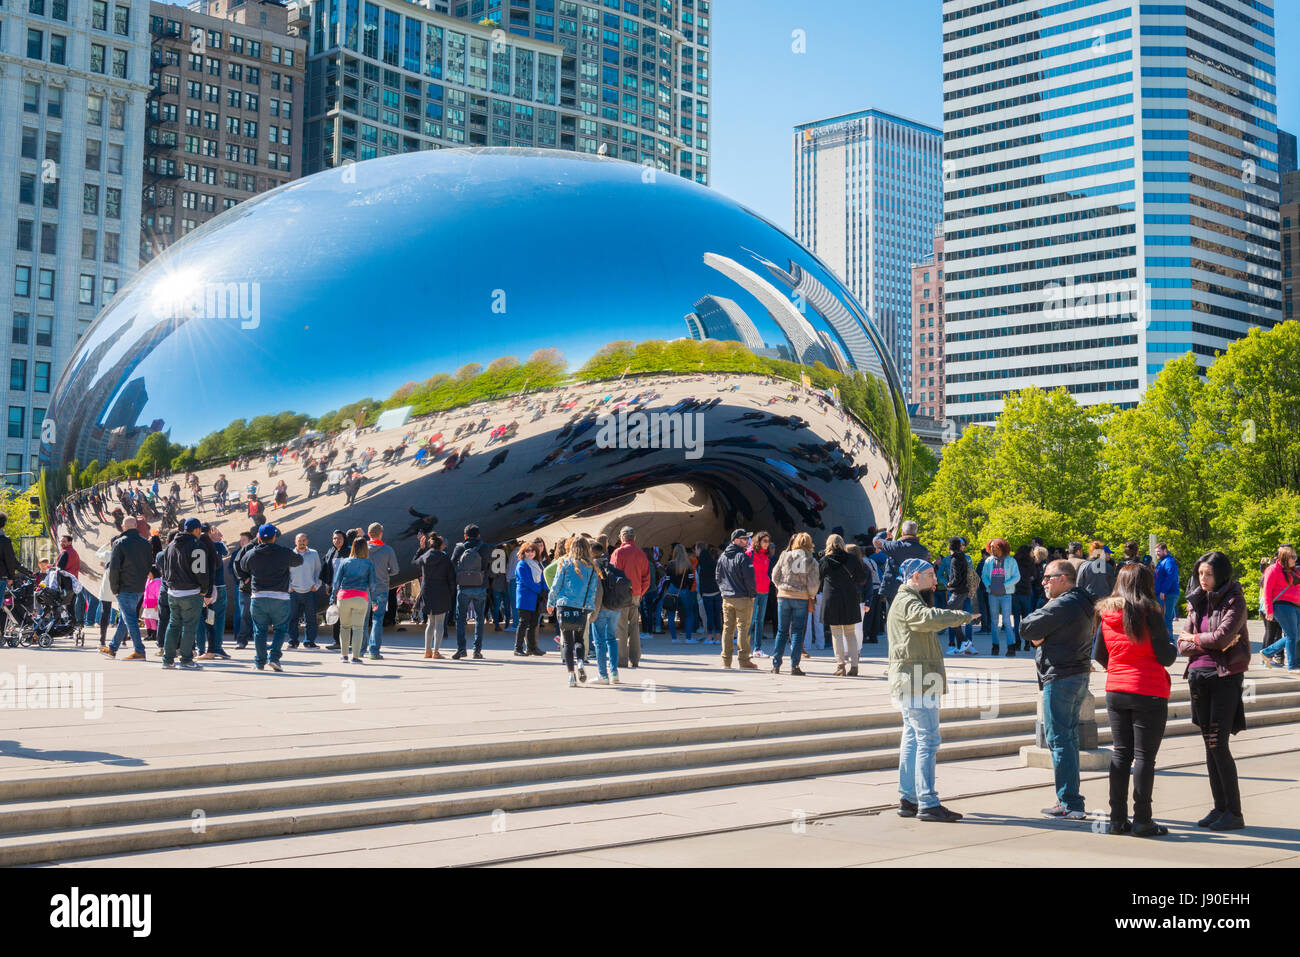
(868, 197)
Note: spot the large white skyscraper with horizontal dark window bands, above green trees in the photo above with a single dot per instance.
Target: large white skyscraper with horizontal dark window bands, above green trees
(1111, 193)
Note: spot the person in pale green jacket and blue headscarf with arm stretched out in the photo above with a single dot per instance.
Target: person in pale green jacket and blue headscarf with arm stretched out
(917, 685)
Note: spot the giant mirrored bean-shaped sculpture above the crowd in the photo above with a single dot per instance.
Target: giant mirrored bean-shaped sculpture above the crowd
(551, 343)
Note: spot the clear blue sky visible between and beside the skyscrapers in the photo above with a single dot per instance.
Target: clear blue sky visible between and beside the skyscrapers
(861, 54)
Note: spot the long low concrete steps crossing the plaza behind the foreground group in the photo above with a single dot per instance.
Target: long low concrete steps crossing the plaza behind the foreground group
(94, 826)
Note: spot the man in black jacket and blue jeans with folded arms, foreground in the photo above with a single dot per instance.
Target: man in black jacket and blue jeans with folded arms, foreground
(1061, 634)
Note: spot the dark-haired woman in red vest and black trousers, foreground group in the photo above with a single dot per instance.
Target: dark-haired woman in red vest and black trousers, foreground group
(1134, 648)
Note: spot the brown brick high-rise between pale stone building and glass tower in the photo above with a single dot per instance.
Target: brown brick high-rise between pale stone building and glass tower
(226, 118)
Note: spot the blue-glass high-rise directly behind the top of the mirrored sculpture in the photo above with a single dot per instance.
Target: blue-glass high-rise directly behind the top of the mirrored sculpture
(627, 79)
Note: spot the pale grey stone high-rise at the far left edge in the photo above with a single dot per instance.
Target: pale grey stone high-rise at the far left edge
(73, 96)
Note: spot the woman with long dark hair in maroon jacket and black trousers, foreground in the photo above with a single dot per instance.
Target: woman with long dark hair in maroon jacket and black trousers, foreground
(1217, 648)
